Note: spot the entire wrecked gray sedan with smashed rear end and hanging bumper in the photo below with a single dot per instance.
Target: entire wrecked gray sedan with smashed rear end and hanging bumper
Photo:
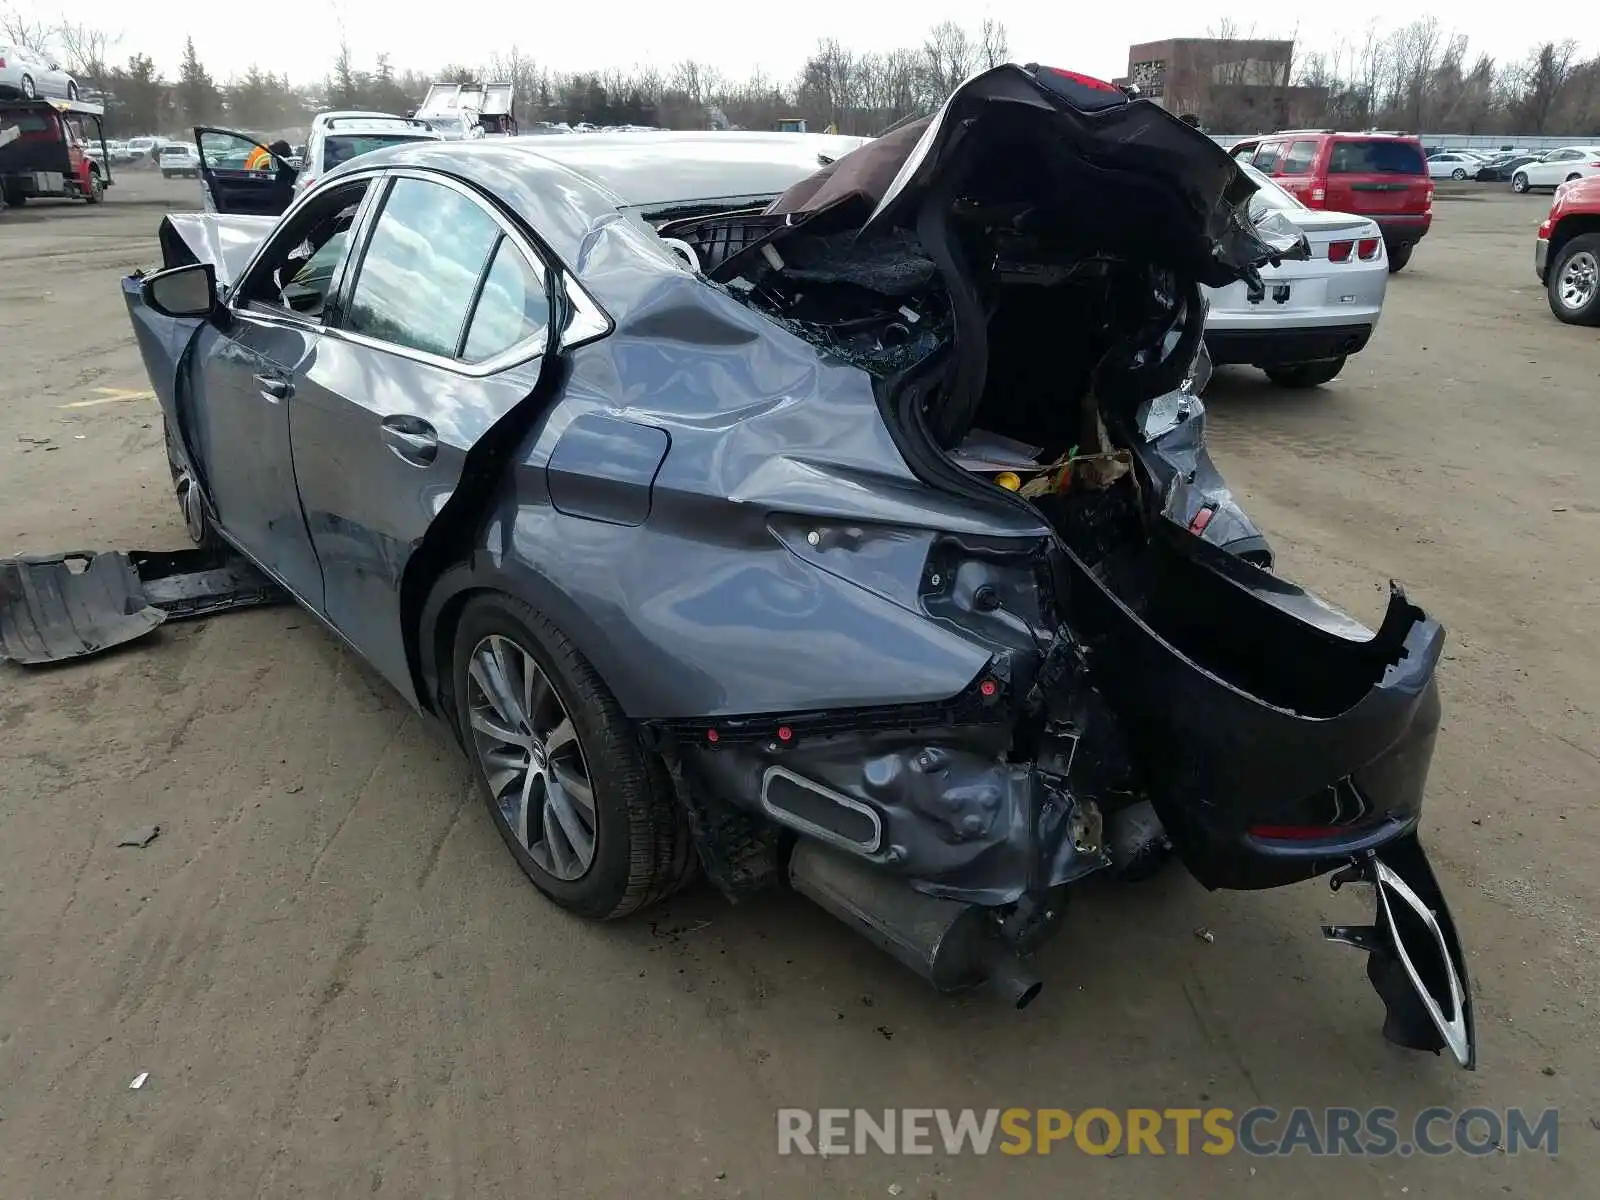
(818, 513)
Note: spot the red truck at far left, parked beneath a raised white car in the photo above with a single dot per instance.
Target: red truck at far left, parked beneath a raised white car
(54, 150)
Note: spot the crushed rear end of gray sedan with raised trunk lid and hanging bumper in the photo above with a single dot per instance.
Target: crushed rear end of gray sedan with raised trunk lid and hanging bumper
(1020, 276)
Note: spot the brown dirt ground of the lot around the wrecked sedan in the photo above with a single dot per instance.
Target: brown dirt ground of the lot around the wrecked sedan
(340, 983)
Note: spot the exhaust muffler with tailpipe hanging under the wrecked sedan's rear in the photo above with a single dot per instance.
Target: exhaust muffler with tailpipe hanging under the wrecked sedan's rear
(951, 945)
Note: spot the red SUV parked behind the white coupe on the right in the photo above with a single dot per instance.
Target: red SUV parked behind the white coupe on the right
(1377, 175)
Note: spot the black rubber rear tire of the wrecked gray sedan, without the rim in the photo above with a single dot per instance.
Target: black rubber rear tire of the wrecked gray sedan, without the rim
(641, 850)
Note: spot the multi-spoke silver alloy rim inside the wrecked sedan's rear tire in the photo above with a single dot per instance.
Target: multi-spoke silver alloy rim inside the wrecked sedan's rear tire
(532, 758)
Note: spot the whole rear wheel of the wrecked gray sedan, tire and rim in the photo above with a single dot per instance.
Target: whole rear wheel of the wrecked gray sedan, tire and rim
(588, 814)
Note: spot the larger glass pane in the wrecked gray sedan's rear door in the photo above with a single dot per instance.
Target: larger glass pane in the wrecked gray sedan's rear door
(422, 270)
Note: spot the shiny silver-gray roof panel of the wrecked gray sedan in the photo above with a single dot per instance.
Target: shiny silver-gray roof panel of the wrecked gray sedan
(564, 185)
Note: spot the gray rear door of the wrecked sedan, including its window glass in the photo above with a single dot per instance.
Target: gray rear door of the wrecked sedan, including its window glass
(441, 334)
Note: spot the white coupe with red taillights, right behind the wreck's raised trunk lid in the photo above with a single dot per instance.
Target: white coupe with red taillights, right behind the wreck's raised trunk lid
(1311, 316)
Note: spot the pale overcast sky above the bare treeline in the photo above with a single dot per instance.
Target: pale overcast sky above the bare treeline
(302, 38)
